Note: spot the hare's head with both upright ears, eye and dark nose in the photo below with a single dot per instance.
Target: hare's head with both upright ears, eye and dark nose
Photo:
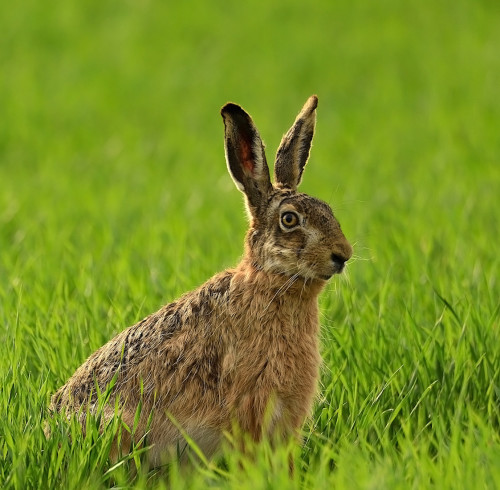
(290, 233)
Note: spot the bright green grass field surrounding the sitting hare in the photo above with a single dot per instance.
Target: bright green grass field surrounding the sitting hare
(115, 199)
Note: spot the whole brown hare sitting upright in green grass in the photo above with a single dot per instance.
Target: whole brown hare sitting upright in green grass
(241, 351)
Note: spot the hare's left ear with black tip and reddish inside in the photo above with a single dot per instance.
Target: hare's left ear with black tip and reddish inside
(245, 157)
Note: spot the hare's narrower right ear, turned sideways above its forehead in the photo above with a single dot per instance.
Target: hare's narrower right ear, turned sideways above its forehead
(293, 151)
